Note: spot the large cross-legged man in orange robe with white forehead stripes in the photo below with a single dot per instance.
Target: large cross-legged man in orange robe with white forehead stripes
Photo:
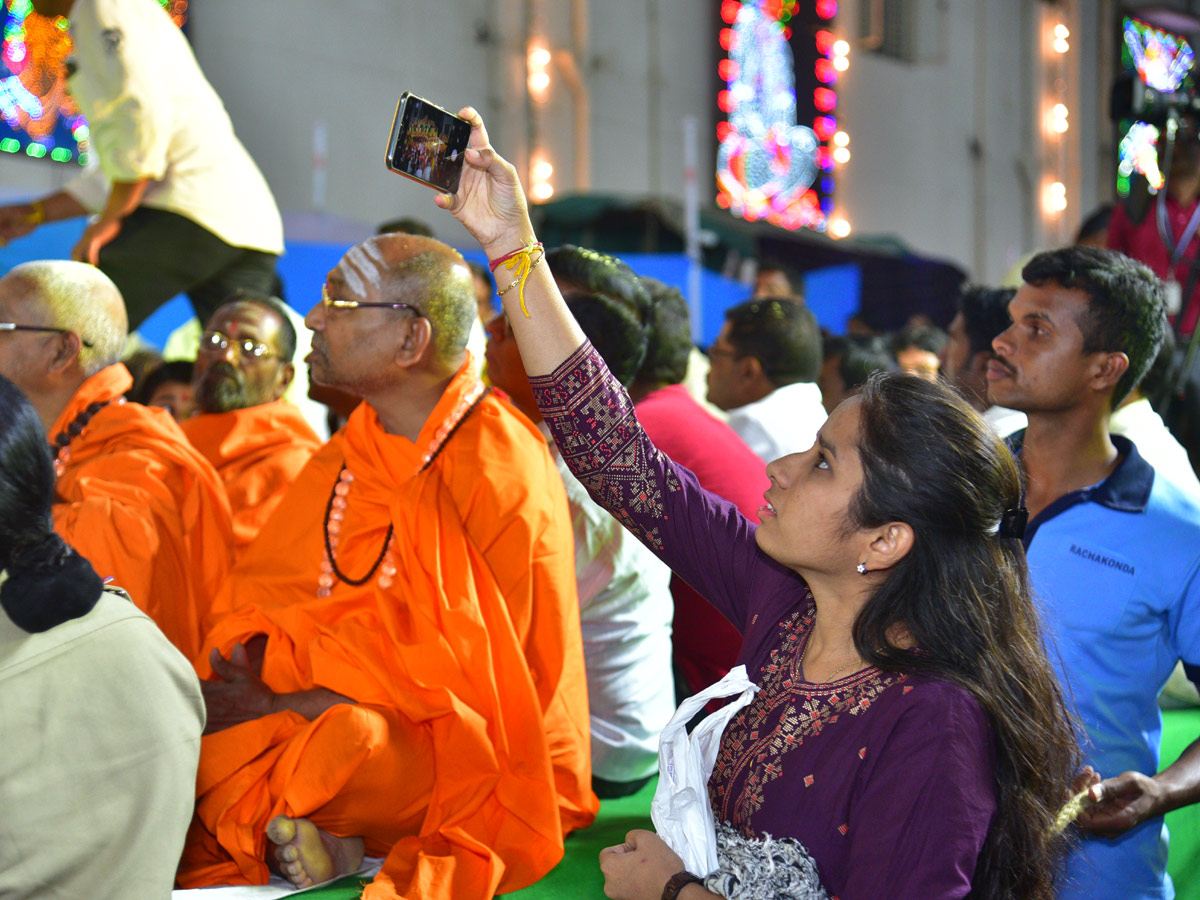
(400, 670)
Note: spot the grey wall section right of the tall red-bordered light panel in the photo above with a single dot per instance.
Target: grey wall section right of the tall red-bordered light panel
(949, 152)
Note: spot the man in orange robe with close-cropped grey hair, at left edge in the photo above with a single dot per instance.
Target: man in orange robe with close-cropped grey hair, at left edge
(133, 495)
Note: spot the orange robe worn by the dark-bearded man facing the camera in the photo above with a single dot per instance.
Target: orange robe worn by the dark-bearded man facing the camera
(257, 452)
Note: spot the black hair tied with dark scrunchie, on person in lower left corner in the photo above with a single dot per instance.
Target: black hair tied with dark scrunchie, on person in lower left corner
(49, 584)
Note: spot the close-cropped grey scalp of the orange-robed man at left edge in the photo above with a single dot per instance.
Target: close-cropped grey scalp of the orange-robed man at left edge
(74, 297)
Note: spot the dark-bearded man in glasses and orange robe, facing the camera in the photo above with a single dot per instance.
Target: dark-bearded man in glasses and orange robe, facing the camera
(257, 441)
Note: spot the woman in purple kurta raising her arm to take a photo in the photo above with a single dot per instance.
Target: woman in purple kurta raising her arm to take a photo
(909, 733)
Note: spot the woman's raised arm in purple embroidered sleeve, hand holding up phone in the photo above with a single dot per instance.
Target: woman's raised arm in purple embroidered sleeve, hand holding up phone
(703, 538)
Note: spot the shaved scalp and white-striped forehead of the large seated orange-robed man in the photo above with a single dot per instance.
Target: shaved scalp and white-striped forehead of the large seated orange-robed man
(422, 272)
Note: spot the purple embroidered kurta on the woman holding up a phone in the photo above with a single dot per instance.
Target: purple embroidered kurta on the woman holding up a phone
(886, 779)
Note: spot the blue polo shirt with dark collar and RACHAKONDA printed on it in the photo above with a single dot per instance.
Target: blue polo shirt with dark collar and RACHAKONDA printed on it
(1115, 571)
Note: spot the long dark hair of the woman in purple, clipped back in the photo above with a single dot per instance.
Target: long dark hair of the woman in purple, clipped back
(963, 593)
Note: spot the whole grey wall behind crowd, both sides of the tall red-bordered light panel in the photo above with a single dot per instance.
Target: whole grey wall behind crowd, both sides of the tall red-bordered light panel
(945, 152)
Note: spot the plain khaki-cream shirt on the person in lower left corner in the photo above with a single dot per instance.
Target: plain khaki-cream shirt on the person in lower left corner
(101, 721)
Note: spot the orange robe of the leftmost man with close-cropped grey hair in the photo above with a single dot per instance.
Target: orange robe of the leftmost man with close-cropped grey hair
(142, 505)
